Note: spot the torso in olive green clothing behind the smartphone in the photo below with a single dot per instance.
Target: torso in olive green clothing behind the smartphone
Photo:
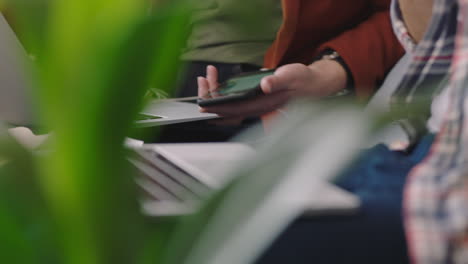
(223, 34)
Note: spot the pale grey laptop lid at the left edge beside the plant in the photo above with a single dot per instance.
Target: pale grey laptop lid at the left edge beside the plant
(15, 106)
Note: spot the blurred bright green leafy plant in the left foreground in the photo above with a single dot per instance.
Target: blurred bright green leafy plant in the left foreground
(95, 60)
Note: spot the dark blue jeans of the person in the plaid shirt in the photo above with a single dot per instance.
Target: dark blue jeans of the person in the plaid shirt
(375, 234)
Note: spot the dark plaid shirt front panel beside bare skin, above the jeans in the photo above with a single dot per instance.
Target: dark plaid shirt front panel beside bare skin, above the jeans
(431, 60)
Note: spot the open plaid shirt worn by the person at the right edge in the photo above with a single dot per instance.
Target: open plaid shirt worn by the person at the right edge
(436, 194)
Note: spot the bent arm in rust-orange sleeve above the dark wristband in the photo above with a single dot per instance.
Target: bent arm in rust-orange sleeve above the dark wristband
(369, 50)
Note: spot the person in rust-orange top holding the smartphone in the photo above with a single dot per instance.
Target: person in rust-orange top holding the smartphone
(359, 58)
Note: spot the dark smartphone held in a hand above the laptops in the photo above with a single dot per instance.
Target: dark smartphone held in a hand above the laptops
(237, 88)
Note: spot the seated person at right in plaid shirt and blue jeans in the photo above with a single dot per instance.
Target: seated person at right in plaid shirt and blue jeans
(435, 218)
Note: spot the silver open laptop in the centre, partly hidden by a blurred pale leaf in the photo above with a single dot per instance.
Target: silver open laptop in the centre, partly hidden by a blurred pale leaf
(176, 178)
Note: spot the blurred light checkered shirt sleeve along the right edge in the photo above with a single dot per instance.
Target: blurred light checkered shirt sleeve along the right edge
(436, 194)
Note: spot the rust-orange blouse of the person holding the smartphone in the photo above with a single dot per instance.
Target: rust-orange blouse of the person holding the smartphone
(359, 30)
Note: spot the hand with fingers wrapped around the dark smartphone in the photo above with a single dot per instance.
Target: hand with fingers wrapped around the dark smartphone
(319, 79)
